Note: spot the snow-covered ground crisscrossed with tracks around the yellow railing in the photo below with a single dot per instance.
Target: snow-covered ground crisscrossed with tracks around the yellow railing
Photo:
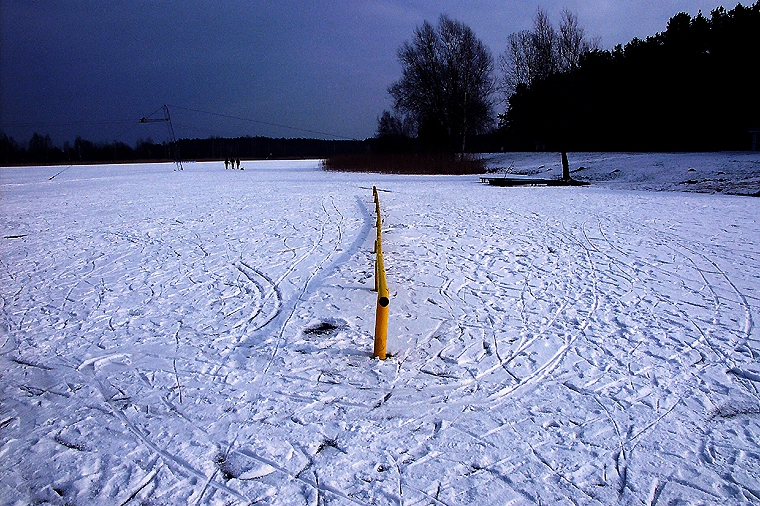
(204, 337)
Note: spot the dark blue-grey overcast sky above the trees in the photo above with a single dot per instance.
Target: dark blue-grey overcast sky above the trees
(94, 67)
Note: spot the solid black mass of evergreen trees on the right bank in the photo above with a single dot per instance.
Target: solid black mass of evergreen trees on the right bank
(689, 88)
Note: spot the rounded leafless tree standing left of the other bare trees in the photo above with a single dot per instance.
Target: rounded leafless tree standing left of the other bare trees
(446, 84)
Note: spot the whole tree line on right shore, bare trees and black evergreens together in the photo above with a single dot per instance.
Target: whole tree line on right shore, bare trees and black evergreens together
(688, 88)
